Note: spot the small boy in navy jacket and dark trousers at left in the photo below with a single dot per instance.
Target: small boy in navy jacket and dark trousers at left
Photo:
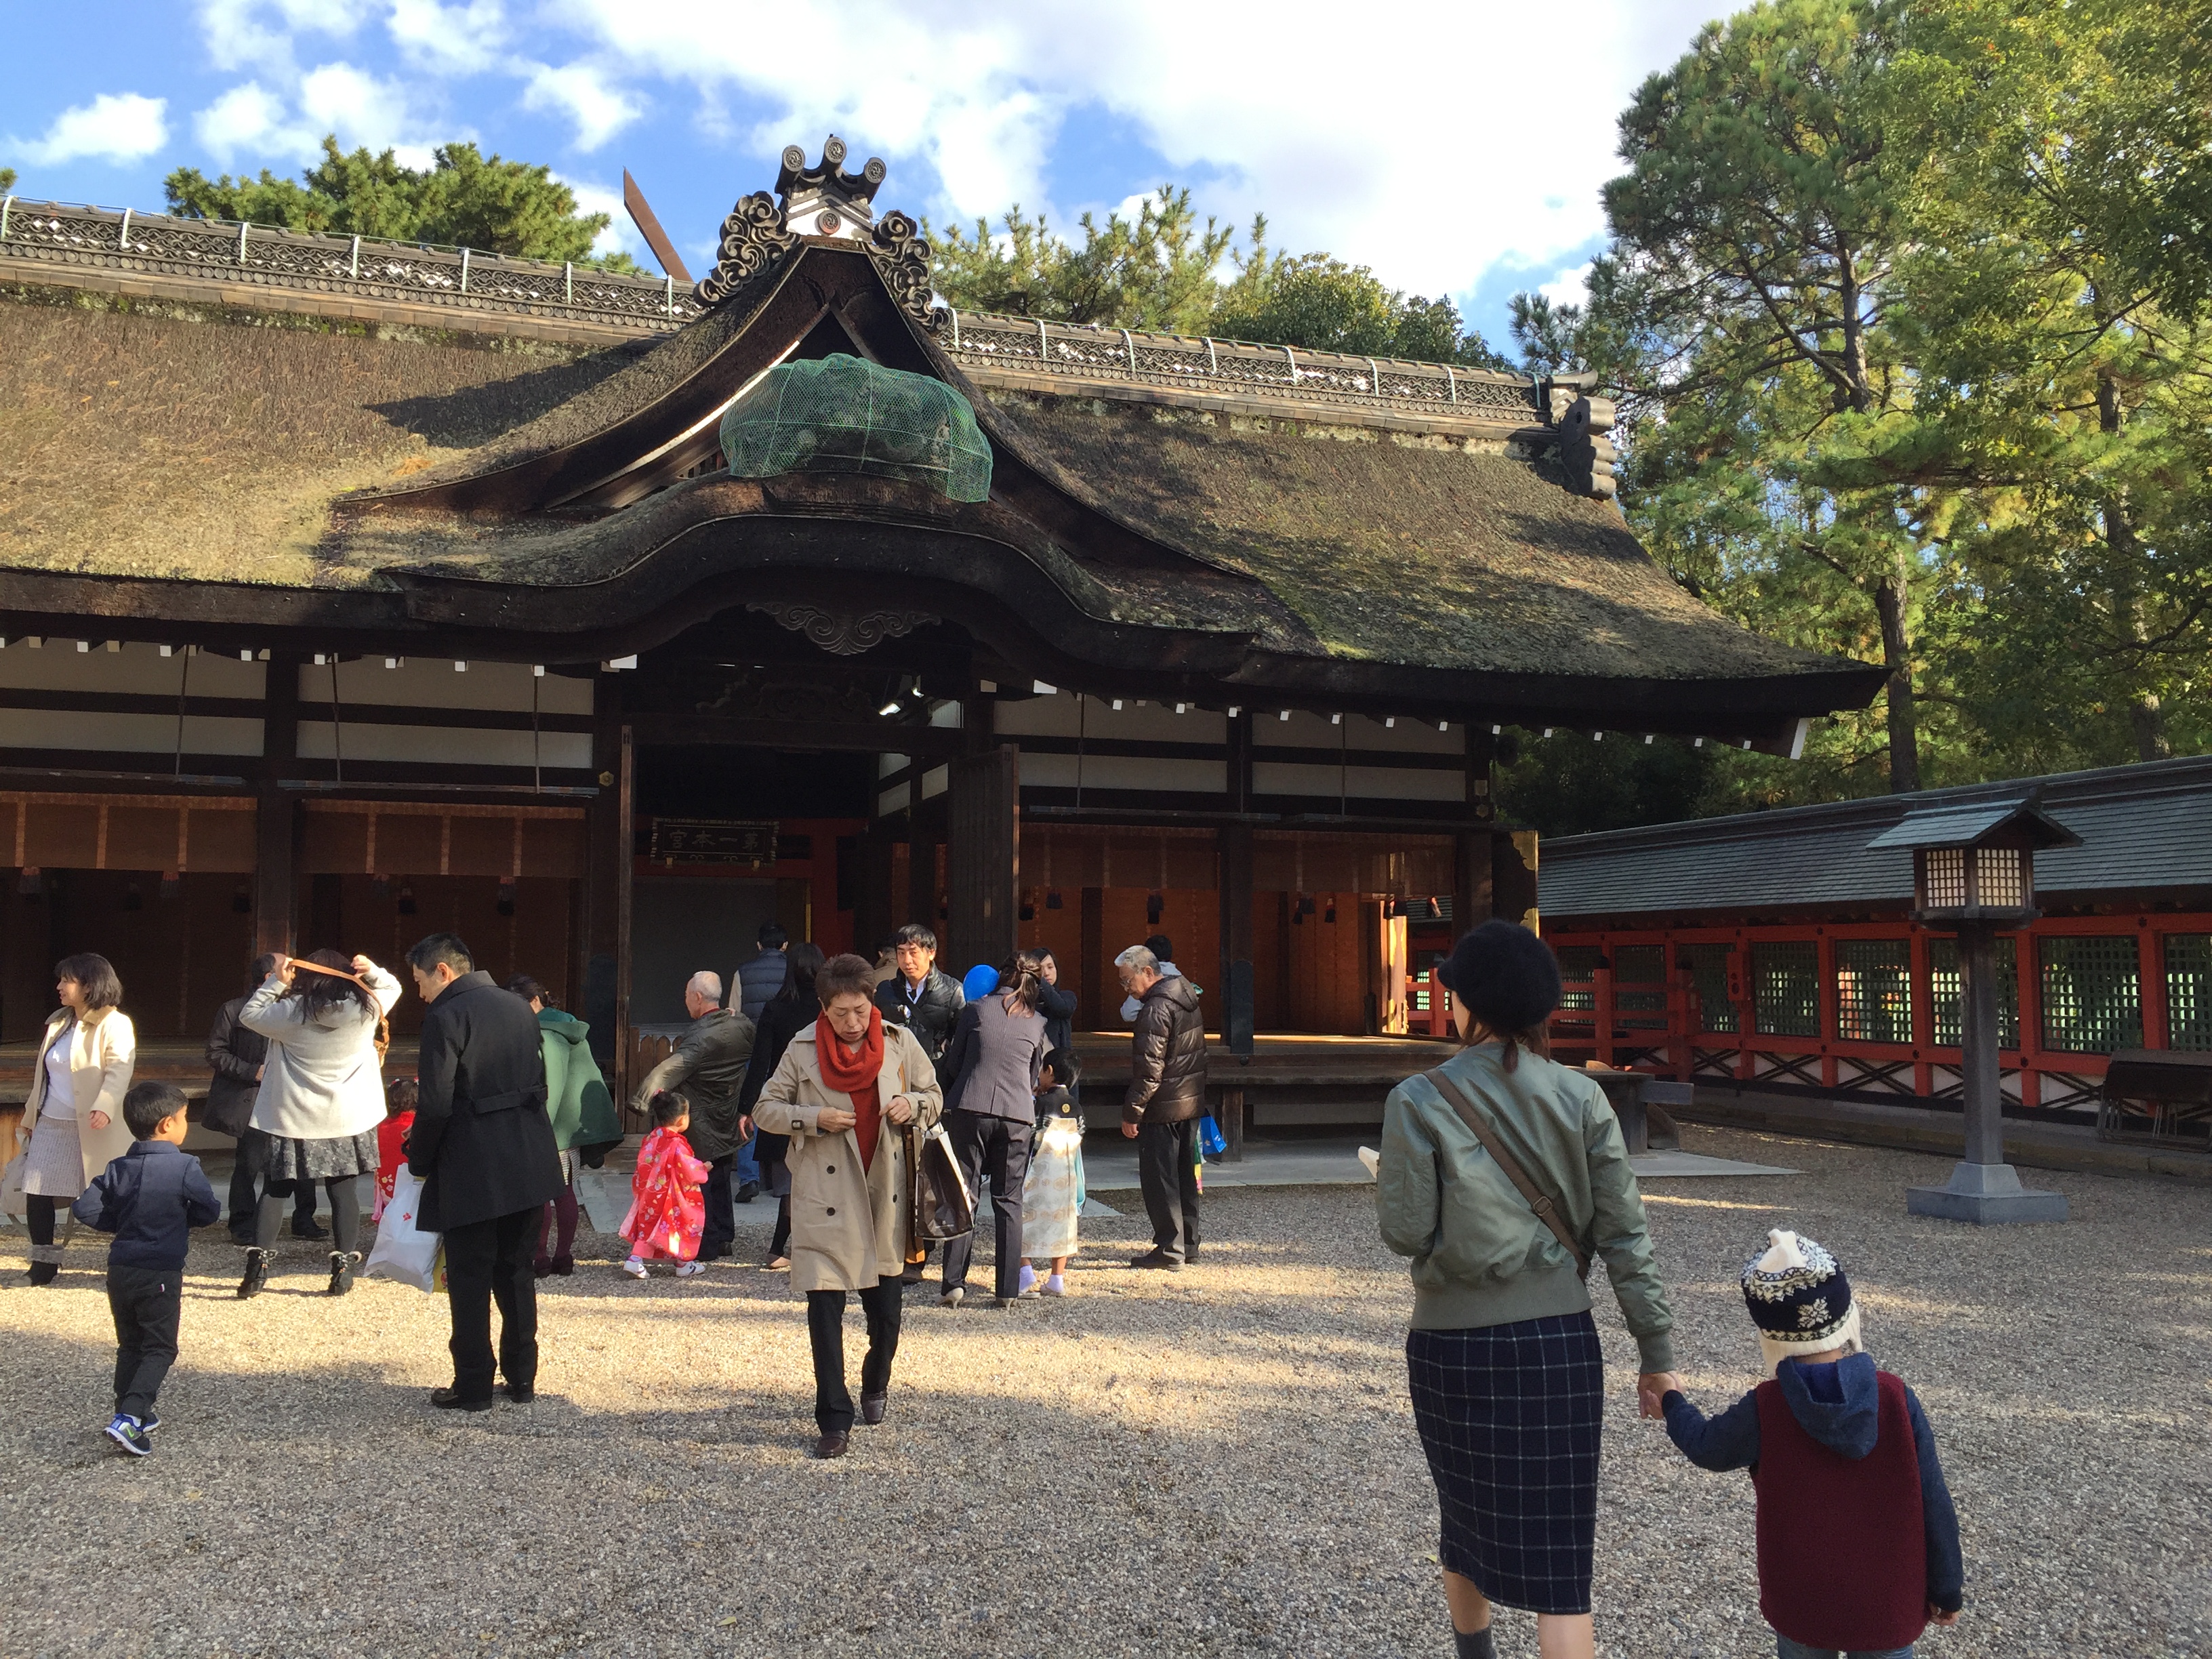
(152, 1200)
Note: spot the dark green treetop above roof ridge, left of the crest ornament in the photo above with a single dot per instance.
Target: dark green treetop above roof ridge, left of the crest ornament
(463, 200)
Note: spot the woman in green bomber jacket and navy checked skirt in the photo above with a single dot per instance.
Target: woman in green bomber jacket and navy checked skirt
(1503, 1357)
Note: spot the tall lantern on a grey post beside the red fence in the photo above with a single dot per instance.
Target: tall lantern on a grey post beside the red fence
(1974, 875)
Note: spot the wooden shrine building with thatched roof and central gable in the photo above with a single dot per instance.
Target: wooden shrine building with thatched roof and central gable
(353, 592)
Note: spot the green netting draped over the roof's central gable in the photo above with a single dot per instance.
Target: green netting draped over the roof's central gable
(839, 415)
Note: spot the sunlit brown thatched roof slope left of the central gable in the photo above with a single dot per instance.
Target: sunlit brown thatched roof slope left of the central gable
(209, 444)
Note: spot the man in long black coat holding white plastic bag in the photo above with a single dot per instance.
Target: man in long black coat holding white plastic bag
(486, 1154)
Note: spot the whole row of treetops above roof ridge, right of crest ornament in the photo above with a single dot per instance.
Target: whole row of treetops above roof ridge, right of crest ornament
(1162, 271)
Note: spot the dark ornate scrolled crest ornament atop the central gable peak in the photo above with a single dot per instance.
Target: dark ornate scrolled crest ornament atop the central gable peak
(824, 202)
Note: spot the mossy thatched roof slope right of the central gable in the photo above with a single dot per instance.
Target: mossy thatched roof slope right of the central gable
(1395, 547)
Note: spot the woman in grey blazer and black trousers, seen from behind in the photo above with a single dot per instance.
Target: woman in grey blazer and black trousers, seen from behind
(992, 1107)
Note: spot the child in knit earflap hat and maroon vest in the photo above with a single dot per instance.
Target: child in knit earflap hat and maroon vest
(1857, 1534)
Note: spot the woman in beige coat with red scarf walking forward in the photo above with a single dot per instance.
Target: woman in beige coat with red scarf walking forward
(839, 1094)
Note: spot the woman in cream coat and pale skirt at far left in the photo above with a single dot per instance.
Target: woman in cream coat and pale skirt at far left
(76, 1107)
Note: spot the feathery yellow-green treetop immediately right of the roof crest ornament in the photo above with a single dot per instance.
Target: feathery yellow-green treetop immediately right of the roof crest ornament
(1147, 273)
